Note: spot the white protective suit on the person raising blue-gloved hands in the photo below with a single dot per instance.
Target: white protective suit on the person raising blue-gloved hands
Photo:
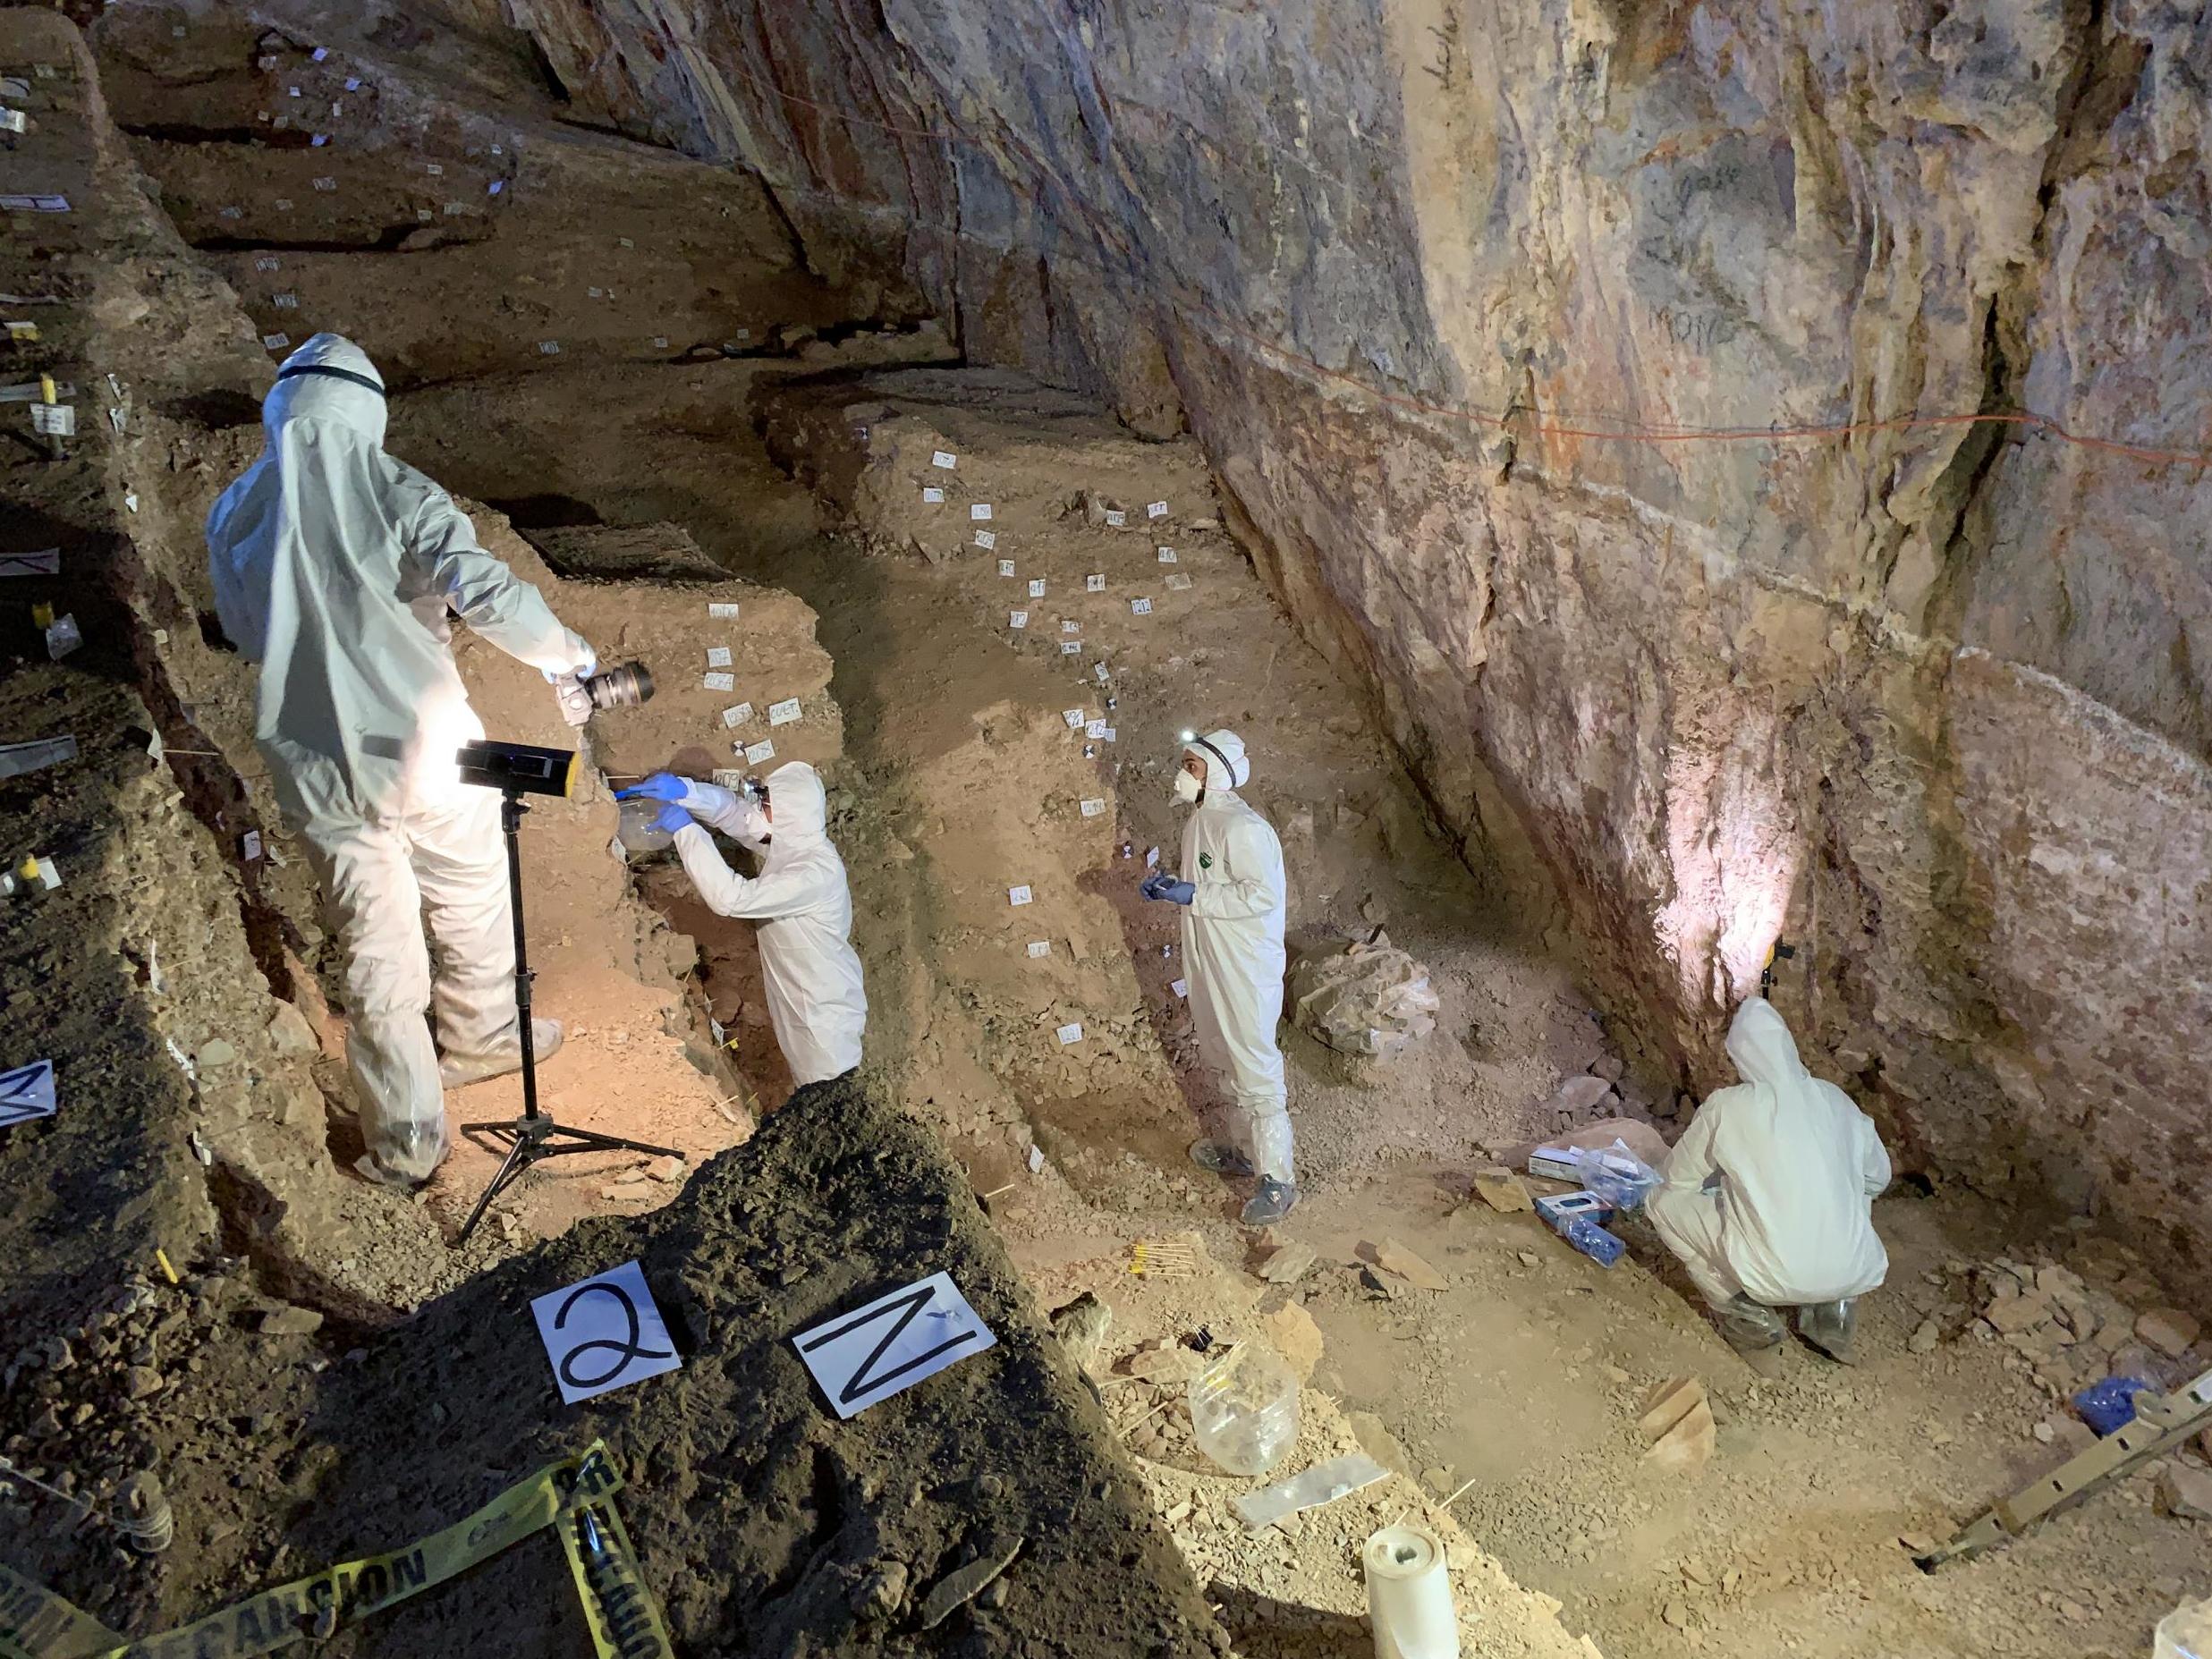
(804, 908)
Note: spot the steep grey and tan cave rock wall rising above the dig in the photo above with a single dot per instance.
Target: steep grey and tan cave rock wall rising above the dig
(1592, 377)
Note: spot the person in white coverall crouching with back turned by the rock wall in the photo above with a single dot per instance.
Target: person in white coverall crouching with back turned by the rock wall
(1768, 1198)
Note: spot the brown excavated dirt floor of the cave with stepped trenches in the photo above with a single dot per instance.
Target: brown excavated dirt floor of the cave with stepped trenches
(789, 430)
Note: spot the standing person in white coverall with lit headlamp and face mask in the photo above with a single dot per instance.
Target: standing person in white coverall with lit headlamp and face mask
(1235, 899)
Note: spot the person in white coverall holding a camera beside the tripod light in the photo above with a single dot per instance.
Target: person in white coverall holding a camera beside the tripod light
(337, 570)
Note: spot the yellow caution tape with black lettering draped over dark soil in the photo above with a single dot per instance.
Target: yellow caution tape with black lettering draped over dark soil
(616, 1598)
